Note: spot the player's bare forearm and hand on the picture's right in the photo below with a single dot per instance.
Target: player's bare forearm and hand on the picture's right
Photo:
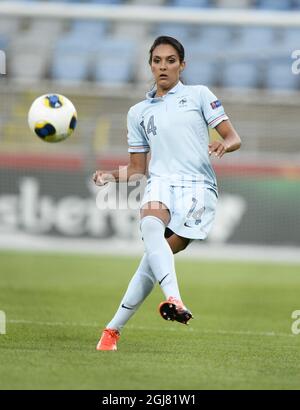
(230, 140)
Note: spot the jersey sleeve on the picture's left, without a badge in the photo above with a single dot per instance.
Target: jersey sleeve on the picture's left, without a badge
(136, 139)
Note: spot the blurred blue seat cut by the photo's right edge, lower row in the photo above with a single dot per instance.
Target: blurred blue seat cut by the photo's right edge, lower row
(279, 75)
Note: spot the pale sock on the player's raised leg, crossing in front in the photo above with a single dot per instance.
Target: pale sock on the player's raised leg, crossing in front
(160, 255)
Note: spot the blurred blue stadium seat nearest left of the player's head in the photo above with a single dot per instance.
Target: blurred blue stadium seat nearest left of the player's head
(115, 62)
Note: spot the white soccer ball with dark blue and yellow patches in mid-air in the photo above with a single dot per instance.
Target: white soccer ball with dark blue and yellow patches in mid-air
(52, 117)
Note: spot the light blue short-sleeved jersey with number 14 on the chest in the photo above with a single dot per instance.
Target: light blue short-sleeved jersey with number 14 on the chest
(175, 129)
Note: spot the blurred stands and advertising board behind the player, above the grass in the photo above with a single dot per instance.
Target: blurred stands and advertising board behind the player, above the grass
(96, 53)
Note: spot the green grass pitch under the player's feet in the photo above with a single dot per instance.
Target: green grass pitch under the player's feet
(56, 306)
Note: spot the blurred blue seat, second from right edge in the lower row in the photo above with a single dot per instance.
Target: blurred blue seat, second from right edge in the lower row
(241, 74)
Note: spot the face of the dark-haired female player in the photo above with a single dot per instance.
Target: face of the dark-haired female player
(166, 67)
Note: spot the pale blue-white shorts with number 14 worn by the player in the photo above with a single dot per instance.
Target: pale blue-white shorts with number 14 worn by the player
(192, 207)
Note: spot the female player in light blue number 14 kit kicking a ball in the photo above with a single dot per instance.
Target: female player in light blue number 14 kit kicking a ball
(181, 194)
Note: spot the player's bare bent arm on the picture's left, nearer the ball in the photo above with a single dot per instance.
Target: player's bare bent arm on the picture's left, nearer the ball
(135, 170)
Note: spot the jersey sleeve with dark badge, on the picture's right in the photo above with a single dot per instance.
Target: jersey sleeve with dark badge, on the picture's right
(212, 108)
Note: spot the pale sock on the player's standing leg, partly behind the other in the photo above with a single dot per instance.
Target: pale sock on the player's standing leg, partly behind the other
(138, 289)
